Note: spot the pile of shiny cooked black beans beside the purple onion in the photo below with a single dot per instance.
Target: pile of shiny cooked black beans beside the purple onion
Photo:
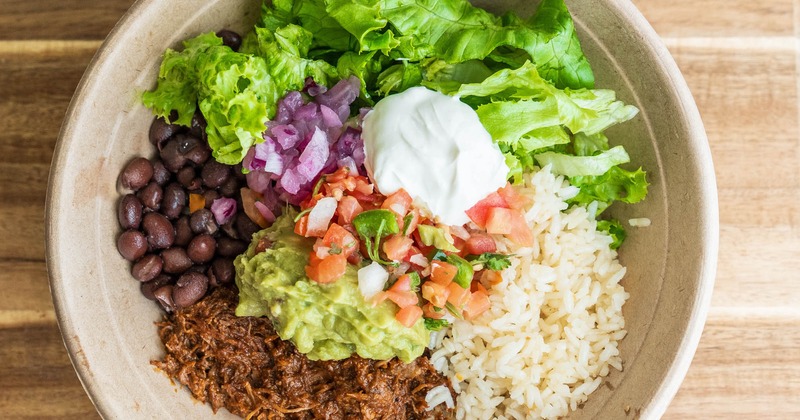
(179, 256)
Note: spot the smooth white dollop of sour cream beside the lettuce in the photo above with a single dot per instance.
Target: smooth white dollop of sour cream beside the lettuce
(435, 147)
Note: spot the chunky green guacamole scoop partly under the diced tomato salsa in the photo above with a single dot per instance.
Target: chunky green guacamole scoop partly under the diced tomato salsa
(324, 321)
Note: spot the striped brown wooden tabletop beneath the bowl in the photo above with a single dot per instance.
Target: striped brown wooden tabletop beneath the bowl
(740, 58)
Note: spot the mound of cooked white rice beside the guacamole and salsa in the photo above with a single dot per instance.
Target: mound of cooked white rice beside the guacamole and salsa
(555, 321)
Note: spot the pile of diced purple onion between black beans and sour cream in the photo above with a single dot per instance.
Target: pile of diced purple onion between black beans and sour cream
(310, 135)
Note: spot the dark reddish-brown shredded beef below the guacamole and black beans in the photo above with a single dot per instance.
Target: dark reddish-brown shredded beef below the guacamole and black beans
(241, 364)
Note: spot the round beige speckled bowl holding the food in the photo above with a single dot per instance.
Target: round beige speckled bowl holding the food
(108, 327)
